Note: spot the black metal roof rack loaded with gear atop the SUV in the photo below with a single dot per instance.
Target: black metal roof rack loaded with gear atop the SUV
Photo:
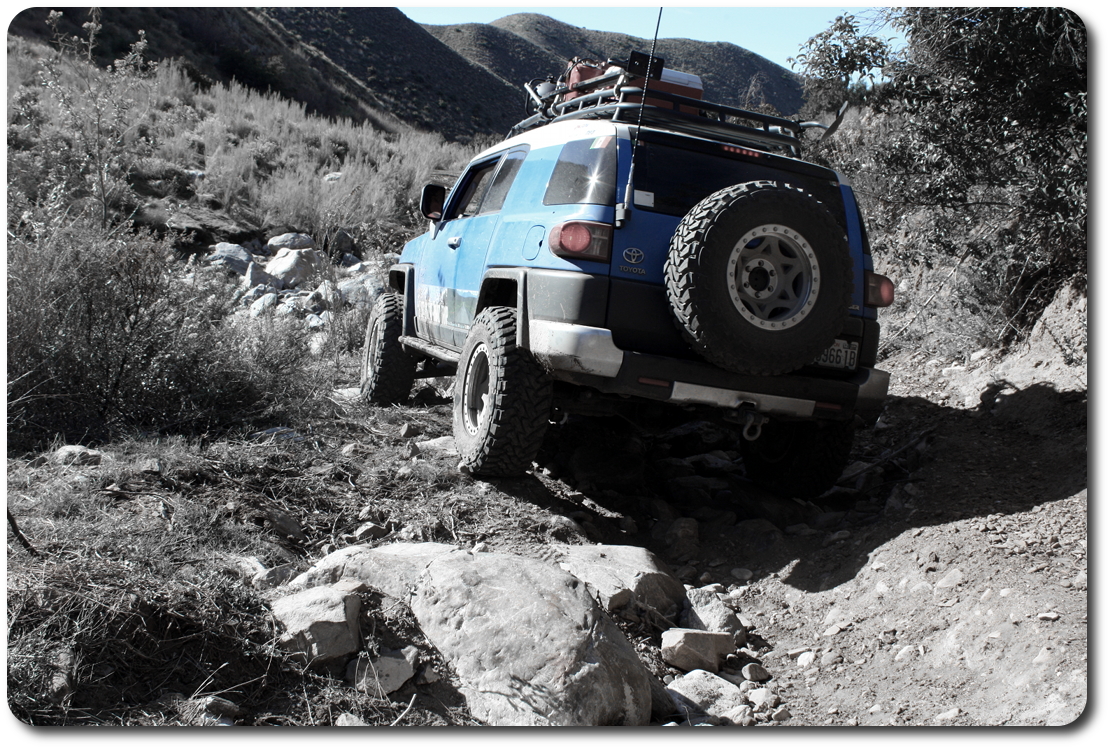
(613, 96)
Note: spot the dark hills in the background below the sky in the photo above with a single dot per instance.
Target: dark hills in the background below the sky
(374, 65)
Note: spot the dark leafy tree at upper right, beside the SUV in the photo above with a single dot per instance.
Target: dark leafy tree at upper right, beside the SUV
(991, 113)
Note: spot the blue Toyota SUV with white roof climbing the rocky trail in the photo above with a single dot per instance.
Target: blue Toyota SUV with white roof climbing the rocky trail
(615, 250)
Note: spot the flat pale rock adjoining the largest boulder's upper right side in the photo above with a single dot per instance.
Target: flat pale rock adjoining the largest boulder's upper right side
(623, 575)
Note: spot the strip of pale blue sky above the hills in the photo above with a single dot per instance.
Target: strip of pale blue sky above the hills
(774, 33)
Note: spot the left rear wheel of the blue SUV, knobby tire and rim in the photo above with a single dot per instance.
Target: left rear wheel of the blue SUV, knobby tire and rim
(502, 400)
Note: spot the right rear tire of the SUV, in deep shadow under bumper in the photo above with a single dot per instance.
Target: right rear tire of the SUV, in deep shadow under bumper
(800, 460)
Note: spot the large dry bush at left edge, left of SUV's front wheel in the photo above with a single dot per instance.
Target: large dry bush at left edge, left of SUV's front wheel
(104, 335)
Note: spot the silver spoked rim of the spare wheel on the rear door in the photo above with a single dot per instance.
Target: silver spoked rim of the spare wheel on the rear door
(773, 278)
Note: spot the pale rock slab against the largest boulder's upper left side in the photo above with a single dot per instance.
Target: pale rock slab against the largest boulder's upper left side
(393, 570)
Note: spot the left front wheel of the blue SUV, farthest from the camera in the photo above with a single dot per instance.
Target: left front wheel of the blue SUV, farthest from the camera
(388, 370)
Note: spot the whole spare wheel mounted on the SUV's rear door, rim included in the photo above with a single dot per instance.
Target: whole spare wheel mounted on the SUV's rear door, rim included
(760, 278)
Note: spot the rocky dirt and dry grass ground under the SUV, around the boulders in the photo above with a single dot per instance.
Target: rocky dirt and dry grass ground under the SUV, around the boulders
(944, 582)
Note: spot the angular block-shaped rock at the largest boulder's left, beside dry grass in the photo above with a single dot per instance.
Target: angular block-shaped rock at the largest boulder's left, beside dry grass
(321, 625)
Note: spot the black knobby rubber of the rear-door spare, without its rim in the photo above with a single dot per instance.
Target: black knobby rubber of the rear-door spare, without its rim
(698, 278)
